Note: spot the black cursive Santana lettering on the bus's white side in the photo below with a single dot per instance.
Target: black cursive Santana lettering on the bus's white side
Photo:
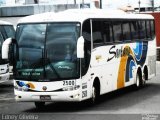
(116, 53)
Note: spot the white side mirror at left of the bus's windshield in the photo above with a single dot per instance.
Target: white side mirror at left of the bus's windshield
(5, 48)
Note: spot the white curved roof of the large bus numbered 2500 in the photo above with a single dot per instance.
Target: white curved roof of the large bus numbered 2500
(79, 15)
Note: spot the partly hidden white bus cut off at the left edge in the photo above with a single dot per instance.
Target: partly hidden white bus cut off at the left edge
(6, 31)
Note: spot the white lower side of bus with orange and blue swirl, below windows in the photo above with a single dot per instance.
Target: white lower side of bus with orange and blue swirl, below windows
(116, 65)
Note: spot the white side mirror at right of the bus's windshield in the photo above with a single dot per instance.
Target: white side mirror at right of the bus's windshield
(80, 47)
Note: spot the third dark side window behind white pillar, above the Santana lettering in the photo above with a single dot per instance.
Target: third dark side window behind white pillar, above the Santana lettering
(117, 31)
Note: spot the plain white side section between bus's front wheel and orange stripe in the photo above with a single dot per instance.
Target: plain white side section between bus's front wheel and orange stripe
(103, 68)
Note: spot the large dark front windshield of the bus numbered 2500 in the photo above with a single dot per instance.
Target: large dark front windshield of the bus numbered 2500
(47, 52)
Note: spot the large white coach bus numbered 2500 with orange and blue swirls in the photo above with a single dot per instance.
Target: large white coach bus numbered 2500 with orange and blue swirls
(77, 55)
